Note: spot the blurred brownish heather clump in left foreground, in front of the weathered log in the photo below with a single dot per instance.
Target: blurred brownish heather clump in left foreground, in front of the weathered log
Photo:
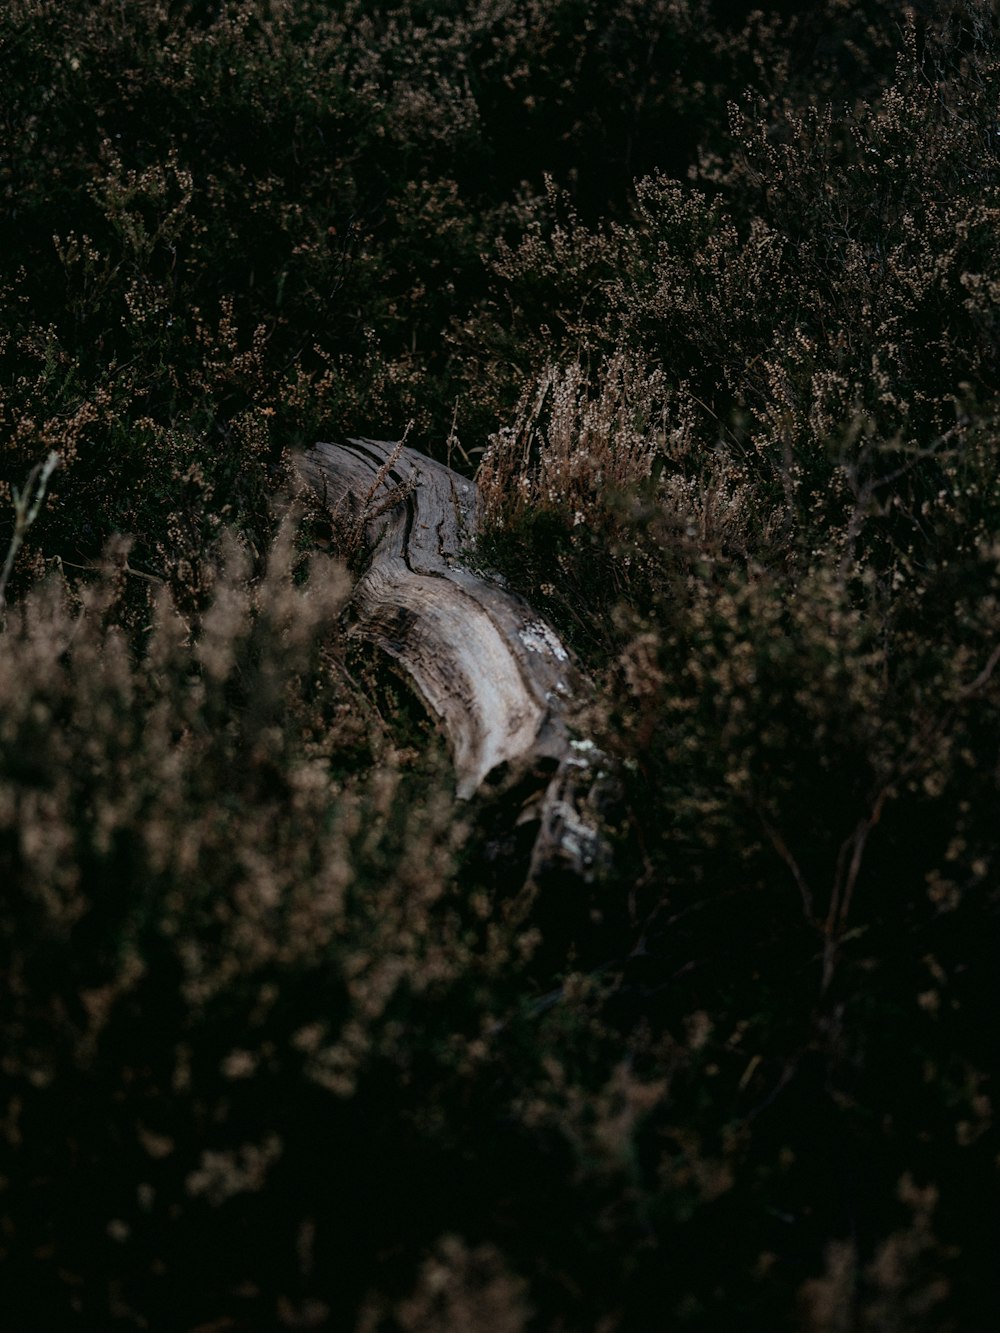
(231, 940)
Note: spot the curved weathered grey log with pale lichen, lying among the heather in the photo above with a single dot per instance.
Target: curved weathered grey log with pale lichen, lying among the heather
(485, 663)
